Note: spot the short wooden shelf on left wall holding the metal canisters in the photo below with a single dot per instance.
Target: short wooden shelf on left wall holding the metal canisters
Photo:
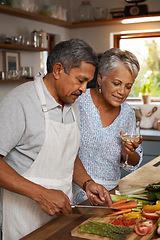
(11, 46)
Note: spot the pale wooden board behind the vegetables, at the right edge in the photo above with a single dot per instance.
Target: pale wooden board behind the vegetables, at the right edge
(147, 174)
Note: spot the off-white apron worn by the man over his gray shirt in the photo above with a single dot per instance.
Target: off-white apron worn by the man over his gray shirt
(53, 169)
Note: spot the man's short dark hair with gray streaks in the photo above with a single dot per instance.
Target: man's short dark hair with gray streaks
(70, 54)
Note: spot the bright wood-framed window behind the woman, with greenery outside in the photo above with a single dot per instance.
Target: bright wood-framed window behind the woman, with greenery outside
(146, 46)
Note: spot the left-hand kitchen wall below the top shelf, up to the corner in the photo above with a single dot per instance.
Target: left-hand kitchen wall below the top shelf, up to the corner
(14, 26)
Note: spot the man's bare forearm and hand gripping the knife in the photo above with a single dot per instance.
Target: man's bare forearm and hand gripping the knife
(51, 201)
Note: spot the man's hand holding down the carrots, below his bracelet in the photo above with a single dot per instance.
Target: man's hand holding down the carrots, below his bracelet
(98, 194)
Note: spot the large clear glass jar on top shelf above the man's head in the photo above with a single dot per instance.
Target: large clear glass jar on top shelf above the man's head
(86, 11)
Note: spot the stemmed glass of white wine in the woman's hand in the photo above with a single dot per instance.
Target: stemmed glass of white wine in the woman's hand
(132, 133)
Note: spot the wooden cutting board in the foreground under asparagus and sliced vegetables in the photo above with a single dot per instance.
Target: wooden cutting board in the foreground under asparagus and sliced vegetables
(132, 236)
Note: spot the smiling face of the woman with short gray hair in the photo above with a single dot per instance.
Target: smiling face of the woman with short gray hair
(116, 86)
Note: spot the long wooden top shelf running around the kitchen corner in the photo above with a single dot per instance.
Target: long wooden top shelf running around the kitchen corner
(41, 18)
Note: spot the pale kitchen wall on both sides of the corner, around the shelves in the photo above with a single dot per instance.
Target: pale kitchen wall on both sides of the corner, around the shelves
(100, 37)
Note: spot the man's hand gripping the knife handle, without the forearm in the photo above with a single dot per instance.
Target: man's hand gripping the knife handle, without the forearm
(54, 202)
